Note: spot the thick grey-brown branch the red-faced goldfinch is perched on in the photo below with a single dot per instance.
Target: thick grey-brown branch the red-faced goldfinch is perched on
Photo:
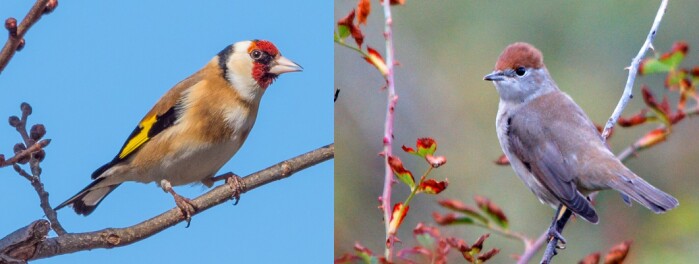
(118, 237)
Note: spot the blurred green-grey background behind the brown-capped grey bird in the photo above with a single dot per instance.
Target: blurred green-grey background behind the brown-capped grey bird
(444, 49)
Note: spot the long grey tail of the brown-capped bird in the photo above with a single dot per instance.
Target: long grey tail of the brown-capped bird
(644, 193)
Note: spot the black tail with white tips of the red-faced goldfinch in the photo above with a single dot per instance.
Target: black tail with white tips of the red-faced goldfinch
(88, 198)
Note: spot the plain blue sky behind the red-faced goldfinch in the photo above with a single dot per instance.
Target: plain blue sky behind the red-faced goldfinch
(92, 69)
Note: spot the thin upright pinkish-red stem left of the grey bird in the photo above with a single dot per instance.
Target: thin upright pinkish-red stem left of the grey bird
(392, 98)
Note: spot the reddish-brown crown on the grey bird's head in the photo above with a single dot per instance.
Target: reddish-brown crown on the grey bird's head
(520, 54)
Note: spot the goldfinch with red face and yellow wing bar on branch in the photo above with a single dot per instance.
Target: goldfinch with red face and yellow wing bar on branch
(195, 128)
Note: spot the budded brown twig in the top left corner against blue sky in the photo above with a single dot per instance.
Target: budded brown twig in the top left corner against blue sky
(15, 40)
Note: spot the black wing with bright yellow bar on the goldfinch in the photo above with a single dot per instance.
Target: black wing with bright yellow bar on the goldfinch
(146, 130)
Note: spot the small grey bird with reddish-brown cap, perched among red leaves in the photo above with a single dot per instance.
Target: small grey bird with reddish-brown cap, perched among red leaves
(553, 146)
